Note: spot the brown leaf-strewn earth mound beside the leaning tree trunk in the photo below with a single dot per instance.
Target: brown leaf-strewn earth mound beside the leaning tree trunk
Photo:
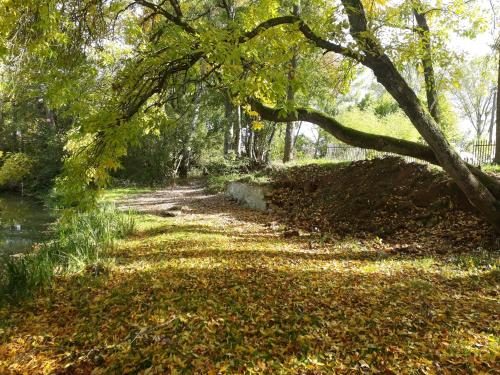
(409, 205)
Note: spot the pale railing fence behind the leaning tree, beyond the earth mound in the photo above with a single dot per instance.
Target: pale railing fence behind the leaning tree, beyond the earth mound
(481, 153)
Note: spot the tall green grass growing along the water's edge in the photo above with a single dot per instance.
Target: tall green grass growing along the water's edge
(79, 240)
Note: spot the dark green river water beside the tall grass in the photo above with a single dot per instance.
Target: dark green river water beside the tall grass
(23, 222)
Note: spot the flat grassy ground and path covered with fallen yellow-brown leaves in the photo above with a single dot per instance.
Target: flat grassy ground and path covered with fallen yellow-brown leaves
(220, 289)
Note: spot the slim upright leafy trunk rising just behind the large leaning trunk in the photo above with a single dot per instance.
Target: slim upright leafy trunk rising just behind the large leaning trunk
(427, 64)
